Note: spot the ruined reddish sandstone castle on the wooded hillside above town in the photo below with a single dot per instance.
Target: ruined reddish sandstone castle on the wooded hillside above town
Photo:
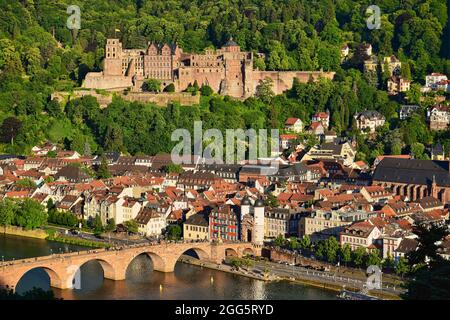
(228, 70)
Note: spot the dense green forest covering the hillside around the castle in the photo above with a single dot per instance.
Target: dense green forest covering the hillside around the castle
(40, 55)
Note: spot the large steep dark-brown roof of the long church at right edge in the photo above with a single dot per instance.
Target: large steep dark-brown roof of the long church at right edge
(413, 171)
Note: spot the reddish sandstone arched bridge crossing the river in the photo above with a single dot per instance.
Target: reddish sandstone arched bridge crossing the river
(61, 268)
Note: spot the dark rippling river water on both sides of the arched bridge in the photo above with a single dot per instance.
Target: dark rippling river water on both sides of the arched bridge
(187, 282)
